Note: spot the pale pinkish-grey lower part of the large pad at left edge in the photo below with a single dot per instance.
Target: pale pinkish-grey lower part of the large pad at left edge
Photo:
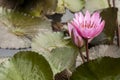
(11, 41)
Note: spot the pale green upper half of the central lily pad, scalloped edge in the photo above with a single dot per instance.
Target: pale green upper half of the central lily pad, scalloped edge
(47, 41)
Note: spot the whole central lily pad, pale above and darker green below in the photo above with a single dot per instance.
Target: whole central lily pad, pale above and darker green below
(56, 50)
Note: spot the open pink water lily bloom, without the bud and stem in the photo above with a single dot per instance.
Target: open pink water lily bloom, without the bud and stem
(88, 26)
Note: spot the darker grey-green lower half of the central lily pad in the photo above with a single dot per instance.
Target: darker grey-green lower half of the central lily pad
(61, 59)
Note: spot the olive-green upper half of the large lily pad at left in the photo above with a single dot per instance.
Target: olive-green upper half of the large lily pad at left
(23, 23)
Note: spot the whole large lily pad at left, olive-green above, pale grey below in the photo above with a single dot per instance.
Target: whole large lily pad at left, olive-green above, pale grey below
(18, 28)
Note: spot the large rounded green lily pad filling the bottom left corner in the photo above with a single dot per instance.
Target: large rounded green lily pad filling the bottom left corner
(26, 66)
